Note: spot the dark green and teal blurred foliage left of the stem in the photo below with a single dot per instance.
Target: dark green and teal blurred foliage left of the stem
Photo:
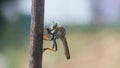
(13, 32)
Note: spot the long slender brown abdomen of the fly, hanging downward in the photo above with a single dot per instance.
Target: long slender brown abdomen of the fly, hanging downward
(66, 49)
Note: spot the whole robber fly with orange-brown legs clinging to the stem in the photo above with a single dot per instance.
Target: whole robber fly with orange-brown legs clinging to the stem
(56, 31)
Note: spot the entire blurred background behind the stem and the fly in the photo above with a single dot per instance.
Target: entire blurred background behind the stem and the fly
(93, 33)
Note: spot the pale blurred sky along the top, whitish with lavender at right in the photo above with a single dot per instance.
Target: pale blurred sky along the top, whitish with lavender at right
(70, 11)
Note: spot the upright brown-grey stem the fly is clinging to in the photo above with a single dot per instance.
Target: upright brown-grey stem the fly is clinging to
(36, 35)
